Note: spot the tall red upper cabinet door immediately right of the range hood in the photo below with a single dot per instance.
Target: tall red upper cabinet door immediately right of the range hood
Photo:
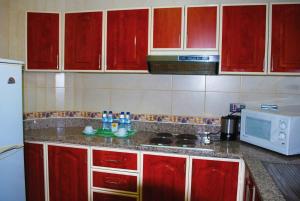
(243, 38)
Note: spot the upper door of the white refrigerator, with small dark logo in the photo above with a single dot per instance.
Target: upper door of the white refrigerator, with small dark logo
(11, 118)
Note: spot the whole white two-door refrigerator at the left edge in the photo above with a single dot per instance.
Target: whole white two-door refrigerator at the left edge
(12, 179)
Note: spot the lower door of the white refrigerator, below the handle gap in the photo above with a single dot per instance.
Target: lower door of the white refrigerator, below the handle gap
(12, 183)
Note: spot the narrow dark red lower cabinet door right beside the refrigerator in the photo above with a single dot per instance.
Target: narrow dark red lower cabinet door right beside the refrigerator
(34, 172)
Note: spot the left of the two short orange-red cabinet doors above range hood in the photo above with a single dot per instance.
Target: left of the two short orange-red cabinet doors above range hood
(167, 28)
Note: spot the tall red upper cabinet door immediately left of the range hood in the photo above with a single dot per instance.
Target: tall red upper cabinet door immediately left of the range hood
(127, 39)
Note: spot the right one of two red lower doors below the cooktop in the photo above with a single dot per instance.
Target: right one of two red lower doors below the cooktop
(214, 180)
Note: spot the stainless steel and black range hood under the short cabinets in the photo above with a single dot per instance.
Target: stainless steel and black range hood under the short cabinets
(183, 64)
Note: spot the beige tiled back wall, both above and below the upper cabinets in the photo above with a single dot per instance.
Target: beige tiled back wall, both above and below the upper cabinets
(138, 93)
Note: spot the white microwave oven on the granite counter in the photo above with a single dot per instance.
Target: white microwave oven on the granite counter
(278, 131)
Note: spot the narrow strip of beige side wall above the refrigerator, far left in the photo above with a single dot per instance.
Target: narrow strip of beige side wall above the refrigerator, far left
(4, 24)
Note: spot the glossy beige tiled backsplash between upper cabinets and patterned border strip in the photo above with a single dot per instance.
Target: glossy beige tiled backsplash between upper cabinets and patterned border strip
(155, 94)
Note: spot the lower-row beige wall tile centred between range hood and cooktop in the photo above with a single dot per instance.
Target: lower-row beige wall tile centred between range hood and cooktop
(188, 103)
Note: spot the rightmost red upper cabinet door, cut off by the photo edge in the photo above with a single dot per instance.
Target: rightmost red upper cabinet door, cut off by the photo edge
(285, 40)
